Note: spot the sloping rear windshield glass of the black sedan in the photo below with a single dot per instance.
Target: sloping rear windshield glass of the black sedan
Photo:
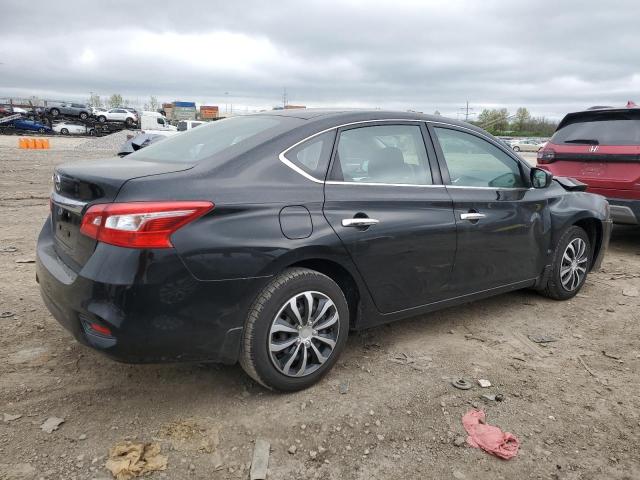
(198, 144)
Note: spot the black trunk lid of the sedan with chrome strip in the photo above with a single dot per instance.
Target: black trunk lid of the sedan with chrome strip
(78, 186)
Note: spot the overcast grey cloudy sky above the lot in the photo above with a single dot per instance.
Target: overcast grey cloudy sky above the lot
(550, 56)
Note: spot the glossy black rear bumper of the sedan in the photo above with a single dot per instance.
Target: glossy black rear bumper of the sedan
(156, 310)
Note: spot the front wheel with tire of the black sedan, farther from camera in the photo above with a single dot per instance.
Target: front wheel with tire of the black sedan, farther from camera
(571, 263)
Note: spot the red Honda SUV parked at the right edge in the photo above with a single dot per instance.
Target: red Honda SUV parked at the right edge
(600, 147)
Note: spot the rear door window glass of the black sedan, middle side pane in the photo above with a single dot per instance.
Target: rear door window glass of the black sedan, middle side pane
(391, 154)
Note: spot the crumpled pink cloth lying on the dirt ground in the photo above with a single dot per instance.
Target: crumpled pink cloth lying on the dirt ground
(489, 438)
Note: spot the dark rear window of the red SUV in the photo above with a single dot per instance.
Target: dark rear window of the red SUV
(614, 128)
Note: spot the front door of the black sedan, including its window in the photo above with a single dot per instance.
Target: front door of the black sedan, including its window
(502, 224)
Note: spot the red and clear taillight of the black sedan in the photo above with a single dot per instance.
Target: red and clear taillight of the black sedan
(140, 224)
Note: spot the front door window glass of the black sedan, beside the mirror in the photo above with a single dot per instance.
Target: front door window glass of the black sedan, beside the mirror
(474, 162)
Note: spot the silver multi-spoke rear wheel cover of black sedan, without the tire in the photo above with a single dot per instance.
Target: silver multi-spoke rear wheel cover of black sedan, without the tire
(304, 333)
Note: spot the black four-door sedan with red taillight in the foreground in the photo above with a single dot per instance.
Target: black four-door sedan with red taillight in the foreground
(266, 238)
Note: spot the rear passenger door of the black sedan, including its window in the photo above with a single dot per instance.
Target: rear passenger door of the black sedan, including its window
(385, 200)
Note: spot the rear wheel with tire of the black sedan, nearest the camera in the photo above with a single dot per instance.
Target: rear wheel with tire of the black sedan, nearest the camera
(295, 331)
